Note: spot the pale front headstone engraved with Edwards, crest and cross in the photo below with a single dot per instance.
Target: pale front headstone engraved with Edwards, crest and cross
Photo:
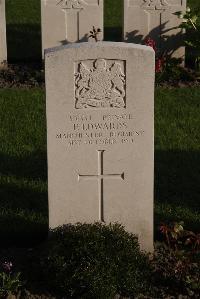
(100, 117)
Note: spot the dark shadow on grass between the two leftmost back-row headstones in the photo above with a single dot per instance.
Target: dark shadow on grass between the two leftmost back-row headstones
(24, 43)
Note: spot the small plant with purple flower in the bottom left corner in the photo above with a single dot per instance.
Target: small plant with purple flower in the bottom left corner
(10, 282)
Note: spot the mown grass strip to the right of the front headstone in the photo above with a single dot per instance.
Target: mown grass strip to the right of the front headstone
(177, 155)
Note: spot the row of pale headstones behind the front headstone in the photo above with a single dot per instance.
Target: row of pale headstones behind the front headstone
(68, 21)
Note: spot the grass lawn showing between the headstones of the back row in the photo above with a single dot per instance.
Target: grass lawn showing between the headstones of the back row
(24, 26)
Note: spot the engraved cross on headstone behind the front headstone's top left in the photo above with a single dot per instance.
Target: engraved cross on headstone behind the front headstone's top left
(72, 9)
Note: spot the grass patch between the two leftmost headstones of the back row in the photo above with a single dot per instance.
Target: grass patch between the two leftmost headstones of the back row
(23, 30)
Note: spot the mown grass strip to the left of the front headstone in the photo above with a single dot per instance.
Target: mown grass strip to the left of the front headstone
(23, 173)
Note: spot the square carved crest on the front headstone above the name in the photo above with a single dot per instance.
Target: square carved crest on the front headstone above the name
(100, 84)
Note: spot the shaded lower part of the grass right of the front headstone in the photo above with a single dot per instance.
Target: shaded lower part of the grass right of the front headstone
(177, 187)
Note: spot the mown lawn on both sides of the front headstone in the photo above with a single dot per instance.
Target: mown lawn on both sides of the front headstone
(23, 167)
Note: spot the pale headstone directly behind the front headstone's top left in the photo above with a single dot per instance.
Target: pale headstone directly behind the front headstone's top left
(70, 21)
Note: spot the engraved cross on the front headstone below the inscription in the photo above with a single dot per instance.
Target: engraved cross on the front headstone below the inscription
(101, 176)
